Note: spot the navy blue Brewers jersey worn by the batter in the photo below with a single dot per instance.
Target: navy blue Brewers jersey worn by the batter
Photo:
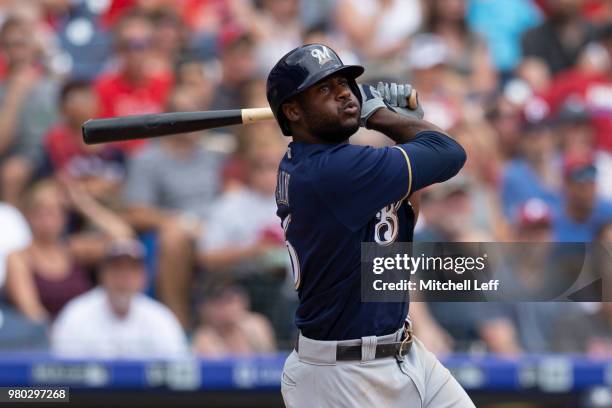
(333, 197)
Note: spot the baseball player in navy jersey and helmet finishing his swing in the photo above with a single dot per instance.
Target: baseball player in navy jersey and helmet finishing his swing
(331, 197)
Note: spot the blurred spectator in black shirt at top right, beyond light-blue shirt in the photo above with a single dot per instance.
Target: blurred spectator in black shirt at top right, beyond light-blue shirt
(559, 40)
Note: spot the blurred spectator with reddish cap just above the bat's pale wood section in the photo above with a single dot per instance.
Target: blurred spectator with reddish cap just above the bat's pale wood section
(237, 57)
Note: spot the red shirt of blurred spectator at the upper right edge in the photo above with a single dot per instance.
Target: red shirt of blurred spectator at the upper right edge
(595, 90)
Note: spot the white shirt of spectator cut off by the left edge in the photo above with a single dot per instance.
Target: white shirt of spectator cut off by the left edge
(15, 235)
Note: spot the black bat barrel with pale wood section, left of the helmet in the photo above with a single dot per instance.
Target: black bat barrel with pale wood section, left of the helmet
(124, 128)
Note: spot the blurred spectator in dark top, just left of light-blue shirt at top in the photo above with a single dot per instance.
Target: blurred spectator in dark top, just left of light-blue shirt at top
(468, 55)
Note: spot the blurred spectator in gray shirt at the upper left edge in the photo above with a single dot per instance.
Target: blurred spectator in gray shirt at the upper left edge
(27, 109)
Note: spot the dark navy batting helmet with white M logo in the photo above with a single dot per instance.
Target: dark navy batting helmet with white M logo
(301, 68)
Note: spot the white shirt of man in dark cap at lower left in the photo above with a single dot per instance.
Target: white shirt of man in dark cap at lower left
(87, 328)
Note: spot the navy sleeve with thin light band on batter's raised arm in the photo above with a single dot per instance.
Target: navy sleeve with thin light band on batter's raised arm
(355, 182)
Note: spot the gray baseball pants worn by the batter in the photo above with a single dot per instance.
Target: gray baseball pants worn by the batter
(313, 378)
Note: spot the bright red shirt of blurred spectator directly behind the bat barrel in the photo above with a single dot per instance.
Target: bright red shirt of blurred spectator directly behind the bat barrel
(118, 97)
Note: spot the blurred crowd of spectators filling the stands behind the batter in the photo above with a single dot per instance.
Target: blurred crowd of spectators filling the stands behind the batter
(172, 246)
